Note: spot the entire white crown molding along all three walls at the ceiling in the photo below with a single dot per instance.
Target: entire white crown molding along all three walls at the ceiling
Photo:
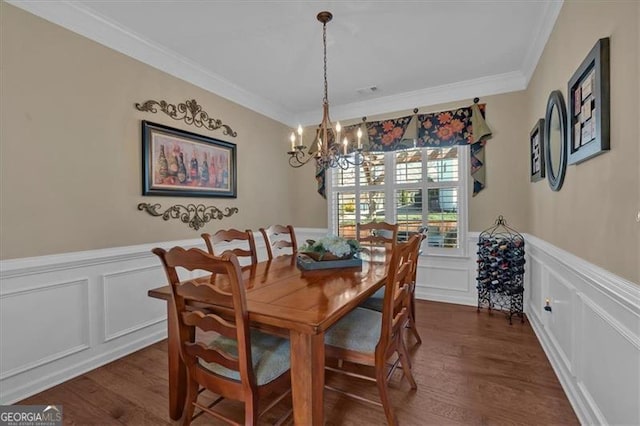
(86, 22)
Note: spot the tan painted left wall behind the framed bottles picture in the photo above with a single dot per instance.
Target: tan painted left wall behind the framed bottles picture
(71, 151)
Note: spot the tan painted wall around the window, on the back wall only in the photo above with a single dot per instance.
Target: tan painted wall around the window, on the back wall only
(507, 173)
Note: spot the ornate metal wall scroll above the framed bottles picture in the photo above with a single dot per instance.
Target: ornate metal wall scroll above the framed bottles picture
(189, 112)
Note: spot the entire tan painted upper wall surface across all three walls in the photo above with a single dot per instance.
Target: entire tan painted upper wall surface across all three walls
(70, 147)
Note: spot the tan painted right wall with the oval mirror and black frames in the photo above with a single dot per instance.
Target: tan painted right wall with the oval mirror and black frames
(593, 215)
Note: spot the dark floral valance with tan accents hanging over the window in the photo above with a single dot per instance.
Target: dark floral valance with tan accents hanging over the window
(461, 126)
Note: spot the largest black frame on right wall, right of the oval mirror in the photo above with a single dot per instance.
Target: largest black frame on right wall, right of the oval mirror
(589, 106)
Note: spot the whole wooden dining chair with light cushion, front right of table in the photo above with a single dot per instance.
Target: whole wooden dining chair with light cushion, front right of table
(372, 338)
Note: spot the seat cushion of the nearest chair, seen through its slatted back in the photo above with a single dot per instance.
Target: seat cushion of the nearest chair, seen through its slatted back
(270, 356)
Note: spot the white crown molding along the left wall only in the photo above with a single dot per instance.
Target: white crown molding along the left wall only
(81, 20)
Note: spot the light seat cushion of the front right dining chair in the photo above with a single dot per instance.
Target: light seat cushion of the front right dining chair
(358, 331)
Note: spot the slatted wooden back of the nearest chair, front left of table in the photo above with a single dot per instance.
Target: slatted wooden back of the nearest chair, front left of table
(229, 293)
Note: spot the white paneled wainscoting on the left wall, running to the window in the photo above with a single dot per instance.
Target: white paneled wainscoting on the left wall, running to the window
(63, 315)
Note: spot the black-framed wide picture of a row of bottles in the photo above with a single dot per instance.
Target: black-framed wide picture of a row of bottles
(184, 164)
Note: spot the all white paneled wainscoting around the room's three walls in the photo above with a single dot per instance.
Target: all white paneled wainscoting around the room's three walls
(63, 315)
